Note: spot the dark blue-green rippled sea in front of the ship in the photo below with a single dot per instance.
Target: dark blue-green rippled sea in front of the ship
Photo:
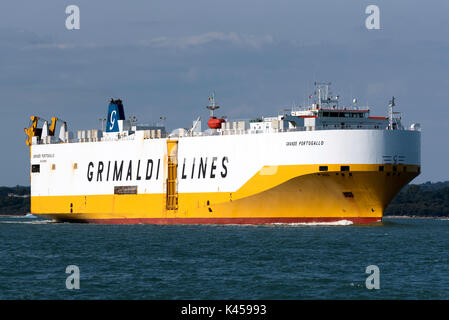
(224, 262)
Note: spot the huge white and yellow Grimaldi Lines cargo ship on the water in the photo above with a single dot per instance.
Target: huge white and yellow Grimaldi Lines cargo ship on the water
(318, 163)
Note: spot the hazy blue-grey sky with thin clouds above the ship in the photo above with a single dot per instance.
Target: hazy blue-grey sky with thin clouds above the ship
(164, 58)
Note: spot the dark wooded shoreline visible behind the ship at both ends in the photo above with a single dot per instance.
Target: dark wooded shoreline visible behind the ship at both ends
(427, 200)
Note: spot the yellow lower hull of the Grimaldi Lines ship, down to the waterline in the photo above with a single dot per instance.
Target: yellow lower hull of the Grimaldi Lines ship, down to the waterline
(276, 194)
